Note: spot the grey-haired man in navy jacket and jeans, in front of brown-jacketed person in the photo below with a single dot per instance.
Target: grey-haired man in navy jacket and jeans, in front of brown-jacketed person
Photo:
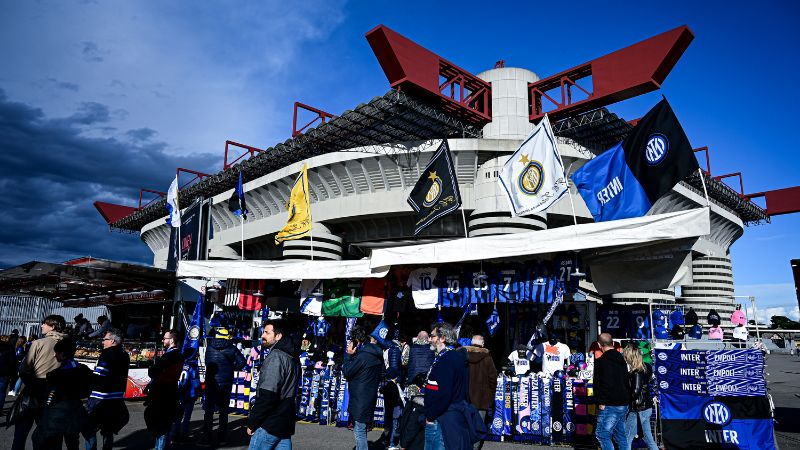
(451, 422)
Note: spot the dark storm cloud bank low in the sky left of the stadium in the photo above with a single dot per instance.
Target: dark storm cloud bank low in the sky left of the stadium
(50, 174)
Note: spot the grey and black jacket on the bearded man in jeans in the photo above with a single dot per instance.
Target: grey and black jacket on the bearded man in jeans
(274, 406)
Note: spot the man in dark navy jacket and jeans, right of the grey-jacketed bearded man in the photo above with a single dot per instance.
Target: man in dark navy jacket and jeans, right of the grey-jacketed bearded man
(362, 370)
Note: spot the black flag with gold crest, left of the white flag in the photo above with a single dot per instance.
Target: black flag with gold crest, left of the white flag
(436, 192)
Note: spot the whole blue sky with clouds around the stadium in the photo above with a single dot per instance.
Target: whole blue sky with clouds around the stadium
(100, 99)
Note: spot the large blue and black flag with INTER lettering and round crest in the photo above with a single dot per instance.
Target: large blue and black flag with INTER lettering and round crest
(626, 180)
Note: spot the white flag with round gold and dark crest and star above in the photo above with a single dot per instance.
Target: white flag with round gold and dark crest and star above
(533, 177)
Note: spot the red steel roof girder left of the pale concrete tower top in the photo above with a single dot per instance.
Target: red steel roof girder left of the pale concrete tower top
(410, 67)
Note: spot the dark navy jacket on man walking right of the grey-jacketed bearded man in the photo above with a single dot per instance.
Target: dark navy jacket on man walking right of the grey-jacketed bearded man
(363, 373)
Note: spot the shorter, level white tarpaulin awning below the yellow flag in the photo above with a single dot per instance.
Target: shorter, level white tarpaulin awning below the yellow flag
(279, 270)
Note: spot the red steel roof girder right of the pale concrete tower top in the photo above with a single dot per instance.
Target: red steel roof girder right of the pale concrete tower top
(631, 71)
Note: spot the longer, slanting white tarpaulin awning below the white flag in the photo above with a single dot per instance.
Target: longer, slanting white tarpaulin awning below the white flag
(639, 230)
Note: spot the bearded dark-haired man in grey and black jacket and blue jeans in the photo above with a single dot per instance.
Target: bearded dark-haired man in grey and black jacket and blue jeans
(272, 417)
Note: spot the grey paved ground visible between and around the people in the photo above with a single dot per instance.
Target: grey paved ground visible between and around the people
(783, 375)
